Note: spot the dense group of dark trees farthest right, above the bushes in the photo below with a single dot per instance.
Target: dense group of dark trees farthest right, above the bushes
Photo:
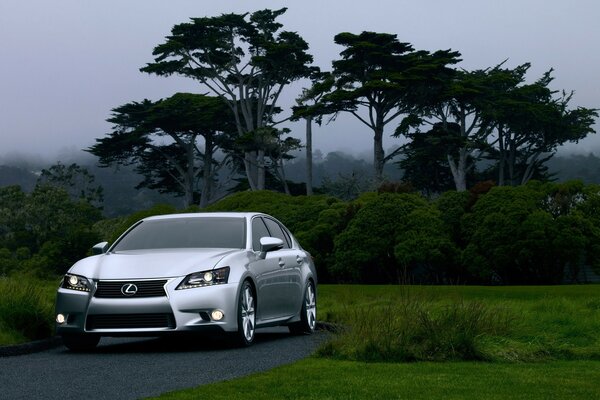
(499, 117)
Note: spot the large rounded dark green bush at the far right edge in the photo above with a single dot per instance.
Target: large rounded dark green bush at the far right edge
(528, 234)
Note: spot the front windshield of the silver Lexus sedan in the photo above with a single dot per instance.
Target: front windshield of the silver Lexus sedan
(177, 233)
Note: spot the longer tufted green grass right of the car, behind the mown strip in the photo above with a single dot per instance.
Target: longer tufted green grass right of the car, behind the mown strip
(437, 323)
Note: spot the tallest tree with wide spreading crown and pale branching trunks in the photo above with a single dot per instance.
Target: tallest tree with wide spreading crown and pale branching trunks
(246, 60)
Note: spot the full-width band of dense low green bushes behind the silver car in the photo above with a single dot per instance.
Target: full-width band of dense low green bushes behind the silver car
(538, 233)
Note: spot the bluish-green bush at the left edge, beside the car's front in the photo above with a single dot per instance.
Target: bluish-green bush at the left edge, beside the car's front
(44, 231)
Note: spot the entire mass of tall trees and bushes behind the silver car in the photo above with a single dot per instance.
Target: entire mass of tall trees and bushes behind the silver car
(473, 202)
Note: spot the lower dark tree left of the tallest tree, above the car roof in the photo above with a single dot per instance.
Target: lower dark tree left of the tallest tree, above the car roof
(161, 139)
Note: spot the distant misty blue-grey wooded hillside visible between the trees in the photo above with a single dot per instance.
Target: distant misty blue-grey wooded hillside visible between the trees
(336, 174)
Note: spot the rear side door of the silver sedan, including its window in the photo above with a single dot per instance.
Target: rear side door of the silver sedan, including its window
(289, 286)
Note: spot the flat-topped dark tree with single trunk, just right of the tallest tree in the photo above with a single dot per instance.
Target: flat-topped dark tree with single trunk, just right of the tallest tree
(378, 78)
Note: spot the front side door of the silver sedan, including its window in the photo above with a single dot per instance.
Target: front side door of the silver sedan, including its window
(267, 275)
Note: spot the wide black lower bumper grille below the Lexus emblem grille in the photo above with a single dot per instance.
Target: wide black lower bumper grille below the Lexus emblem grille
(129, 321)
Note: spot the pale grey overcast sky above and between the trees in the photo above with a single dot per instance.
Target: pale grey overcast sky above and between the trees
(65, 64)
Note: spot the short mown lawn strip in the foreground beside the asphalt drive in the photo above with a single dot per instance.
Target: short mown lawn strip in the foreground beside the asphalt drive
(315, 378)
